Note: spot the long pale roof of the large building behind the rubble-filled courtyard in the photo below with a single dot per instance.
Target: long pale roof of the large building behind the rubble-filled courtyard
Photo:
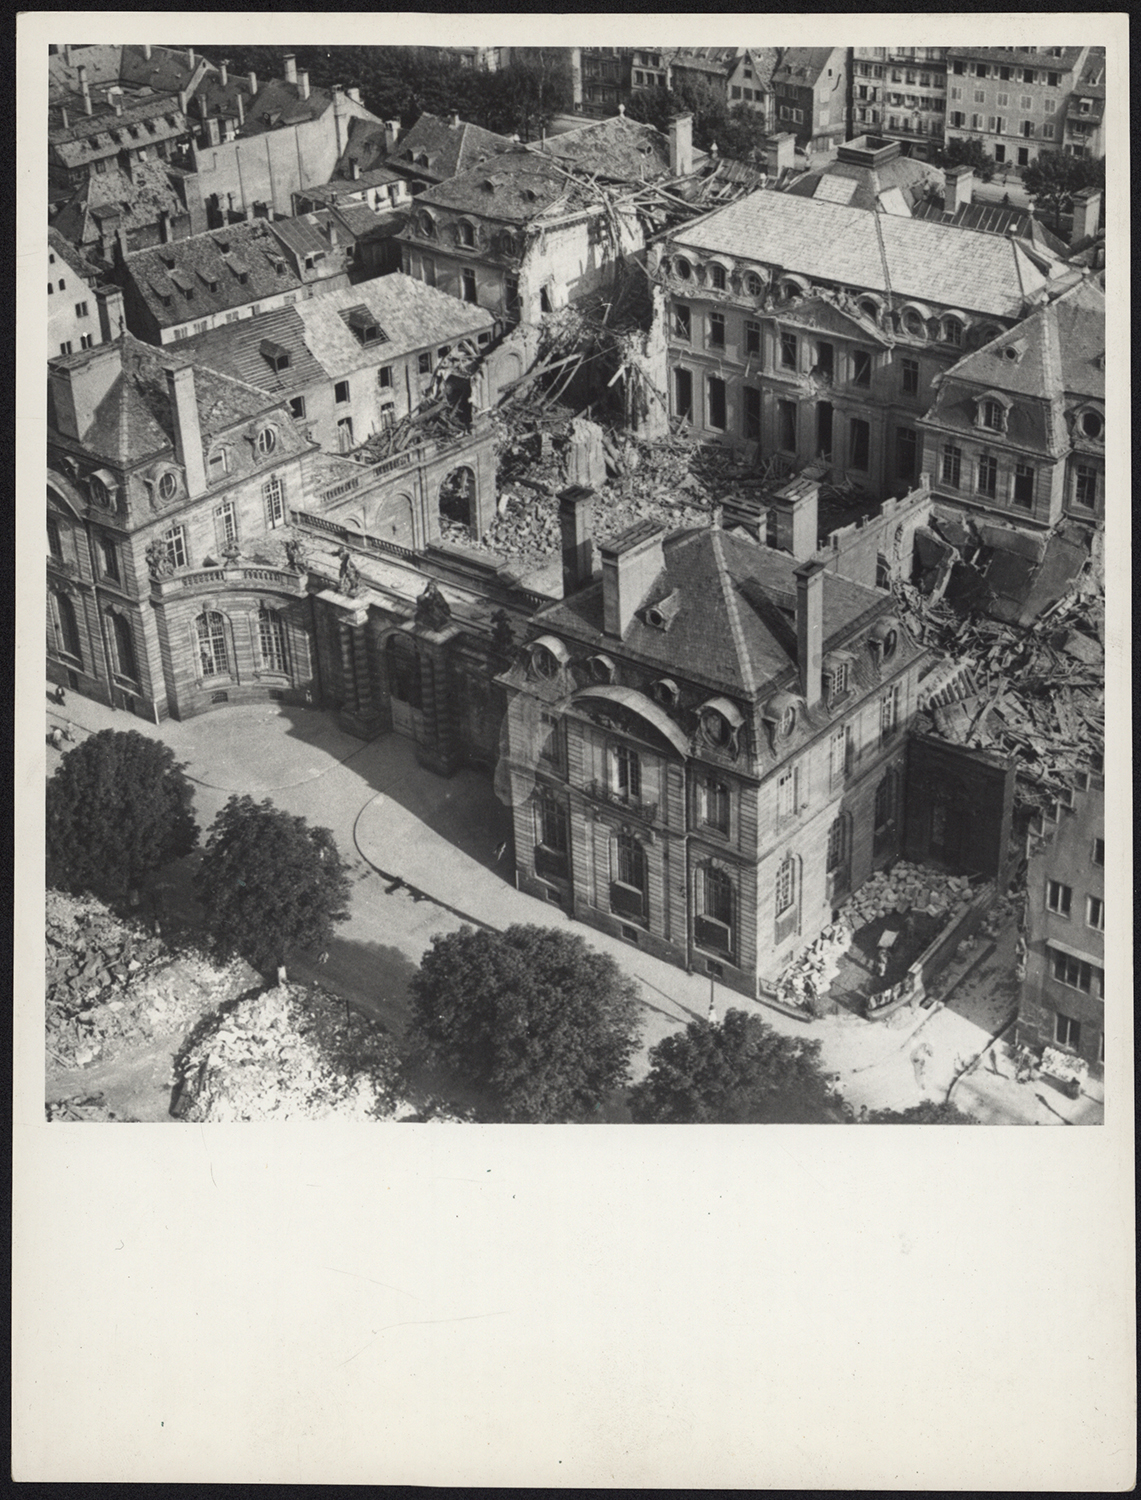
(879, 253)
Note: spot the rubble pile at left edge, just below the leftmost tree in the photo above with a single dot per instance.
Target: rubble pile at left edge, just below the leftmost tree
(112, 986)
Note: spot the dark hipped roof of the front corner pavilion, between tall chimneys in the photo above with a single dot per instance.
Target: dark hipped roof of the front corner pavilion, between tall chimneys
(732, 631)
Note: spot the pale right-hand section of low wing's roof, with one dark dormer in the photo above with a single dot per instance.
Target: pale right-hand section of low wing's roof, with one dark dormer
(412, 314)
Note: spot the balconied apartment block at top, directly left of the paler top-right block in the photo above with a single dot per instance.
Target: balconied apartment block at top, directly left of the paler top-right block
(900, 92)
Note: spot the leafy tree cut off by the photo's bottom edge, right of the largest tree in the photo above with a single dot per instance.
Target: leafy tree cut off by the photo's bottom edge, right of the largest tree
(737, 1073)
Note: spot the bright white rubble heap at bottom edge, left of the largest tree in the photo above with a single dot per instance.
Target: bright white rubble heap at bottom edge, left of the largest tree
(287, 1054)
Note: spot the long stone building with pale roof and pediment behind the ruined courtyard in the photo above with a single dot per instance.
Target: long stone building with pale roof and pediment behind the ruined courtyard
(816, 331)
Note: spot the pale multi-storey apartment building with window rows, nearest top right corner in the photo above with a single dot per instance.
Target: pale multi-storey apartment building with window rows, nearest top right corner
(1014, 101)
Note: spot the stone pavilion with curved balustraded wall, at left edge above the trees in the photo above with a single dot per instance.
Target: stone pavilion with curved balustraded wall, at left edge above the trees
(166, 481)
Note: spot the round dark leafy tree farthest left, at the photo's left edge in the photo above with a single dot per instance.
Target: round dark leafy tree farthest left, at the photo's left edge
(118, 808)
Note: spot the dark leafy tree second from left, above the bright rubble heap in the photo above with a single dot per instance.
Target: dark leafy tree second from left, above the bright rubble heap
(269, 884)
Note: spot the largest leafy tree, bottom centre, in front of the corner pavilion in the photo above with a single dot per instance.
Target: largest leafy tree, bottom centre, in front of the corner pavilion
(535, 1018)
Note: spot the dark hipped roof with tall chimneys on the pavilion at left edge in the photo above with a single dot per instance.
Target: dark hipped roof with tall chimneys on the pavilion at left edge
(134, 421)
